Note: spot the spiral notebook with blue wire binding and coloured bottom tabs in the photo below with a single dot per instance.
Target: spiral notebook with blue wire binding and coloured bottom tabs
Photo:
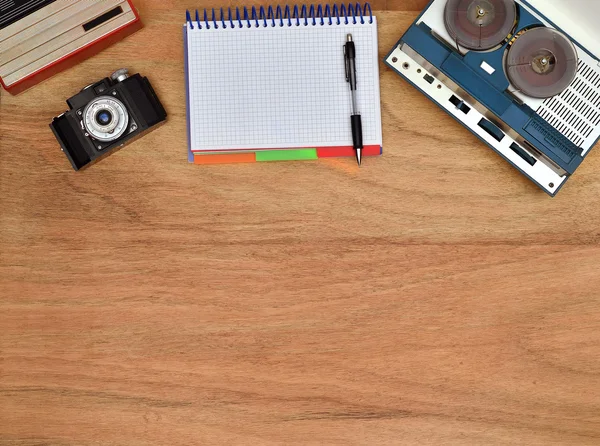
(267, 84)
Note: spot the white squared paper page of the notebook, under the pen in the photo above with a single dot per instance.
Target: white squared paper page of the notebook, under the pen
(280, 87)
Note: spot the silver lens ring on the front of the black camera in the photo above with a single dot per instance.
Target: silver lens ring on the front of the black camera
(105, 130)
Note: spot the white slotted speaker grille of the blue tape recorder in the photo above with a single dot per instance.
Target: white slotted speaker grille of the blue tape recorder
(576, 111)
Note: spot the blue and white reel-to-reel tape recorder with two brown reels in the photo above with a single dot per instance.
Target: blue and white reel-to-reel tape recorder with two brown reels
(512, 77)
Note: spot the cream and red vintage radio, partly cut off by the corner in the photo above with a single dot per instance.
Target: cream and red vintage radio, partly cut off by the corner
(39, 38)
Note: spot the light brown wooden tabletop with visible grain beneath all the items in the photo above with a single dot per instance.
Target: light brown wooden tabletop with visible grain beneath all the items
(434, 296)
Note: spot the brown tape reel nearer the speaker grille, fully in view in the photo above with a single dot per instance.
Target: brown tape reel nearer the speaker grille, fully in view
(541, 62)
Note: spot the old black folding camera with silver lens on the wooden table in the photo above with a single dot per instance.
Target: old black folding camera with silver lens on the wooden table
(106, 115)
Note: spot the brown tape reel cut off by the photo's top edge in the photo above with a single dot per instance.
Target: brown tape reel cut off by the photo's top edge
(480, 25)
